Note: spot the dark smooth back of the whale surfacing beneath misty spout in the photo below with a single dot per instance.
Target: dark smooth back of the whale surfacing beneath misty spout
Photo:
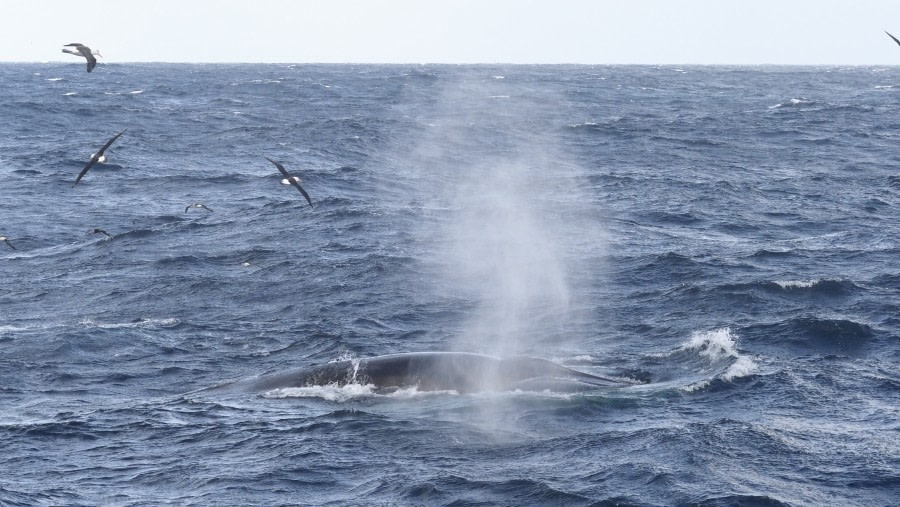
(438, 371)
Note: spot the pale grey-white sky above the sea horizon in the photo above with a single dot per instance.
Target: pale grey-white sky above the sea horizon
(457, 31)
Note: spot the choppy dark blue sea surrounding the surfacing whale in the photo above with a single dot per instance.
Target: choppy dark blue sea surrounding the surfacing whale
(726, 235)
